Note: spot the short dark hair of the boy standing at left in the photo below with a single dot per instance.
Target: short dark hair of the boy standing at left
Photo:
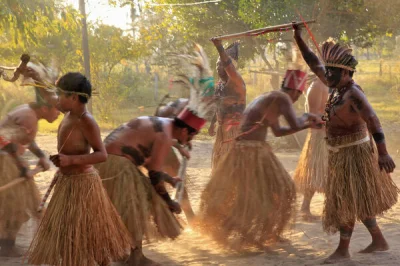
(76, 82)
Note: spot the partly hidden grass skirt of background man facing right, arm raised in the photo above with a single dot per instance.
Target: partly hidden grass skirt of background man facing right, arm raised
(221, 148)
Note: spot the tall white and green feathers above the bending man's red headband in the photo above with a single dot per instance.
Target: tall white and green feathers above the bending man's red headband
(193, 74)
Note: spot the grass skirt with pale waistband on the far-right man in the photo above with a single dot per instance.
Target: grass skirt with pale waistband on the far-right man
(356, 188)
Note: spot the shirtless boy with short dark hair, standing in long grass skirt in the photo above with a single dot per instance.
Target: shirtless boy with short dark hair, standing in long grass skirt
(80, 226)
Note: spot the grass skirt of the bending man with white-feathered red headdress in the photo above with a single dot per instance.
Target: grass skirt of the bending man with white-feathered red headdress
(143, 211)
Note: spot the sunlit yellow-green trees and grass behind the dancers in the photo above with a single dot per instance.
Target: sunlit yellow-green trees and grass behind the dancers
(129, 68)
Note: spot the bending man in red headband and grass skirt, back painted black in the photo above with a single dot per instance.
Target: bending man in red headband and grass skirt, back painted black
(141, 200)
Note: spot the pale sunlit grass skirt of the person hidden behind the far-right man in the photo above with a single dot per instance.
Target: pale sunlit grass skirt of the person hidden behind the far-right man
(312, 168)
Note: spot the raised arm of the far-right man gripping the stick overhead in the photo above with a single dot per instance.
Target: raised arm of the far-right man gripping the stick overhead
(311, 58)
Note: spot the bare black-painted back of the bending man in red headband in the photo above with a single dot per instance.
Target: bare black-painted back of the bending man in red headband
(134, 140)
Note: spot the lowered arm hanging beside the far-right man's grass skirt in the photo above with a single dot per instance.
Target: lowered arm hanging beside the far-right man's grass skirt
(360, 103)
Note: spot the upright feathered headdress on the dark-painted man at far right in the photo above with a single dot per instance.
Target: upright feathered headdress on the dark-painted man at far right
(335, 55)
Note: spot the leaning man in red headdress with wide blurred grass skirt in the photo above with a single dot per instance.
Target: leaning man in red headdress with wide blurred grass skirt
(249, 199)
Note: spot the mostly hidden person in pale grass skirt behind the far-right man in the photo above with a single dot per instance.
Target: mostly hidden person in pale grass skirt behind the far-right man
(311, 170)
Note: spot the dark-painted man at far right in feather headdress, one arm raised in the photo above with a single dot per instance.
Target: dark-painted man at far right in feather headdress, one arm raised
(358, 186)
